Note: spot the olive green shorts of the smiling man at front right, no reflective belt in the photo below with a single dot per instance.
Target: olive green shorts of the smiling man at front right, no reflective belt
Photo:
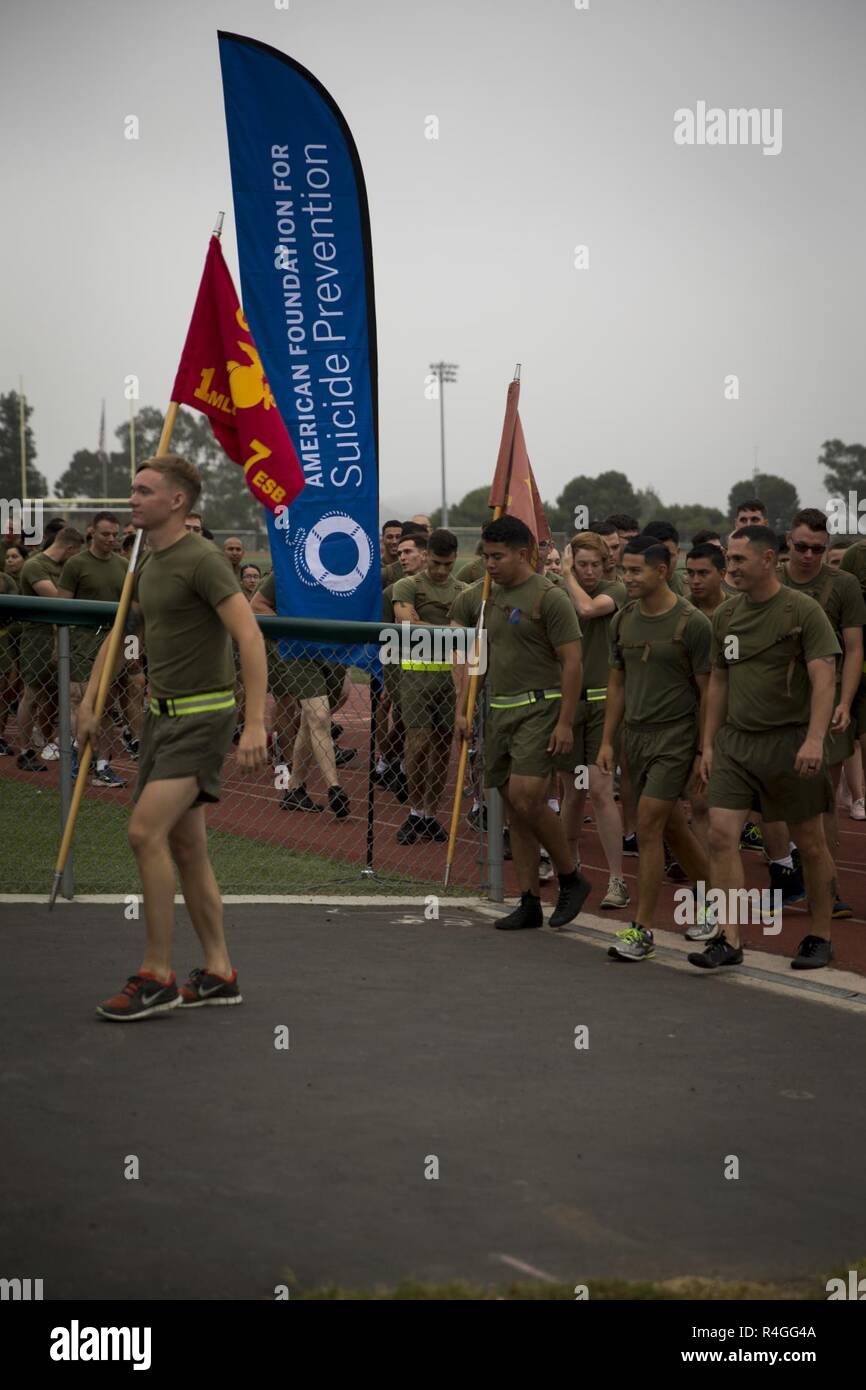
(755, 772)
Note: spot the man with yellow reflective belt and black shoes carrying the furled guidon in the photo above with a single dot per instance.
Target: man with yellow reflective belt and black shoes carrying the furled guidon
(534, 678)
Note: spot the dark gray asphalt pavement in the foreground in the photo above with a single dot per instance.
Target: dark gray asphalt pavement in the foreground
(412, 1040)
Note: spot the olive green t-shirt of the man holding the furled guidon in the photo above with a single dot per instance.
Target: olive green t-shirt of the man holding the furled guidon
(525, 626)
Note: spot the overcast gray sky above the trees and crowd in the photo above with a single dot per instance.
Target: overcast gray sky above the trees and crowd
(555, 130)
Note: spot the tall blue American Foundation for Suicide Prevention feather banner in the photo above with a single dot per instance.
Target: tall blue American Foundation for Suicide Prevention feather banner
(307, 272)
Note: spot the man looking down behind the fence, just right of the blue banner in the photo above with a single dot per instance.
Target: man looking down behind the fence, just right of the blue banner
(427, 698)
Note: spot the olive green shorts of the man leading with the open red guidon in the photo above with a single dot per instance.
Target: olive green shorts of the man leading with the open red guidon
(186, 746)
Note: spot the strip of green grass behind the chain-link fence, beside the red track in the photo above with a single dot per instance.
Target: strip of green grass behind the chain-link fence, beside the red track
(30, 835)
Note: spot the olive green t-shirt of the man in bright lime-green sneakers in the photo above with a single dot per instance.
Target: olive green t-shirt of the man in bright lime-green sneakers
(661, 655)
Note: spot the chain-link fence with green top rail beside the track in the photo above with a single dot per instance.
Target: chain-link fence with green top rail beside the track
(357, 797)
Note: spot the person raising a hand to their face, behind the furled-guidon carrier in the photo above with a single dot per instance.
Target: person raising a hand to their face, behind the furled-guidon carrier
(596, 601)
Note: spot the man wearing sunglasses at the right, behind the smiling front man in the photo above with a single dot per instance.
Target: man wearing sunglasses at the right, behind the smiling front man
(842, 600)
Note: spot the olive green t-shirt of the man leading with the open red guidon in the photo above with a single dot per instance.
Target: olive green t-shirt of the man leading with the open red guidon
(180, 589)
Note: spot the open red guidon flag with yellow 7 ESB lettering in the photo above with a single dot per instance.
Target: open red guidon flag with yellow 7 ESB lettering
(223, 377)
